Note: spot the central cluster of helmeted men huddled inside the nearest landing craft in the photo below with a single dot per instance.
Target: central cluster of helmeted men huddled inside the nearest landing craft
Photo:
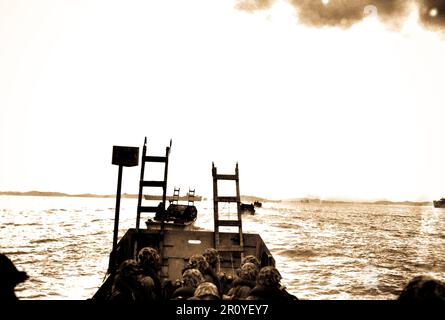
(138, 280)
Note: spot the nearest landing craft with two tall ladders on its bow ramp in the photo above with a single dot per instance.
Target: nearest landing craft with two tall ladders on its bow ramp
(176, 244)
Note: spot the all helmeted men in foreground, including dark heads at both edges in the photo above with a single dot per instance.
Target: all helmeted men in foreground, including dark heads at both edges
(139, 280)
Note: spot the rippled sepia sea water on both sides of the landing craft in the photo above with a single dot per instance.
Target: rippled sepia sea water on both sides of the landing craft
(323, 251)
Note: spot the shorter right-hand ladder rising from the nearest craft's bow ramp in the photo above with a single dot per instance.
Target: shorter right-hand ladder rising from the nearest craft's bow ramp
(226, 223)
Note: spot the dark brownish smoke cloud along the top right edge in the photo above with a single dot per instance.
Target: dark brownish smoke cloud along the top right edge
(345, 13)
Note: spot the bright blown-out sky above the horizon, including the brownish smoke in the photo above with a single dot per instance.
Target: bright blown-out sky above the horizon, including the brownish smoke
(329, 99)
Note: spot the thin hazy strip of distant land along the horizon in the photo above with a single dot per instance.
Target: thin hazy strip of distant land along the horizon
(199, 198)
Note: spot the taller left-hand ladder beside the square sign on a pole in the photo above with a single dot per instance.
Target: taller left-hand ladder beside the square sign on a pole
(160, 209)
